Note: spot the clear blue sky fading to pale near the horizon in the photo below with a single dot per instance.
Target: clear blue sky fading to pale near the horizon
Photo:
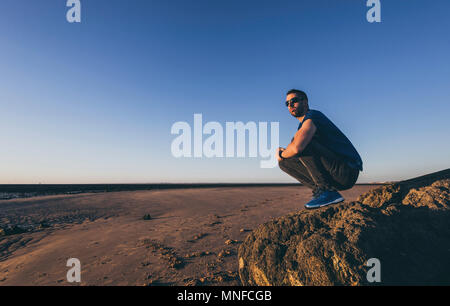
(94, 102)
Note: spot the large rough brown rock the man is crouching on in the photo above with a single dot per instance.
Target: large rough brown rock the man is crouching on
(406, 225)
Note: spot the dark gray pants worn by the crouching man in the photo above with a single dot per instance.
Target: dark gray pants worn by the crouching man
(319, 168)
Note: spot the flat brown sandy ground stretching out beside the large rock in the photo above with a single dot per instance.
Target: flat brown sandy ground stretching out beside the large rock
(191, 239)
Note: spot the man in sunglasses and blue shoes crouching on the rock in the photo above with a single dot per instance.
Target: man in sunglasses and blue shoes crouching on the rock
(320, 156)
